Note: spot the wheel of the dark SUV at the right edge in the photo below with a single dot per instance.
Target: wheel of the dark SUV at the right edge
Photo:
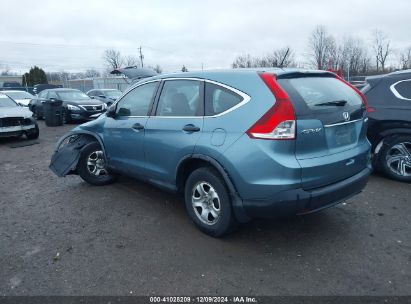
(394, 158)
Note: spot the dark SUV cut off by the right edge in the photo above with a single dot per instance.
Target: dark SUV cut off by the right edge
(389, 131)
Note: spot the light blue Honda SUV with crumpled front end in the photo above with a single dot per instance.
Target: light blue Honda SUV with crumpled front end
(237, 144)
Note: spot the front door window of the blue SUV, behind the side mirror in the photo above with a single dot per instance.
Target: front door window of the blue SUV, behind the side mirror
(137, 101)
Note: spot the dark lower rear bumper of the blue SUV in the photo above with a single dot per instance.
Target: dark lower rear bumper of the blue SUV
(300, 201)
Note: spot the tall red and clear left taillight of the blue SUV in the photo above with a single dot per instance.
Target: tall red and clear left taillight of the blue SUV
(279, 121)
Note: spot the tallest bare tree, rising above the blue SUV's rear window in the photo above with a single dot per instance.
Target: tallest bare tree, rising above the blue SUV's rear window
(322, 47)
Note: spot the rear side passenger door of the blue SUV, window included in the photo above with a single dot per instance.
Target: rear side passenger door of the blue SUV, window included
(174, 129)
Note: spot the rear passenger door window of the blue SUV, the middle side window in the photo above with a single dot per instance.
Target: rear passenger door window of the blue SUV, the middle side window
(180, 98)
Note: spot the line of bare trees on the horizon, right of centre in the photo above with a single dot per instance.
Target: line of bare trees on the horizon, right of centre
(351, 55)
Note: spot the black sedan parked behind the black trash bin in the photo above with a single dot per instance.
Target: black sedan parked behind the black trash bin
(76, 104)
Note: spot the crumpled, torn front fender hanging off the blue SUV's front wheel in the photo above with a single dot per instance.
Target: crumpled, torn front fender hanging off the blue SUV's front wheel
(67, 154)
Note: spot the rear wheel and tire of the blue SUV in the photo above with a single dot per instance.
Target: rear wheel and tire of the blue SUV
(205, 184)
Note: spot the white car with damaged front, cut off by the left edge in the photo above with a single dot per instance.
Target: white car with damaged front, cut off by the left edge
(16, 120)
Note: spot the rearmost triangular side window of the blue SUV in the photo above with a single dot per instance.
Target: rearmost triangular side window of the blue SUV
(219, 99)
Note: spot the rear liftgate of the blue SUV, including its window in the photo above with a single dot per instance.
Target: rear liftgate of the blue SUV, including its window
(331, 140)
